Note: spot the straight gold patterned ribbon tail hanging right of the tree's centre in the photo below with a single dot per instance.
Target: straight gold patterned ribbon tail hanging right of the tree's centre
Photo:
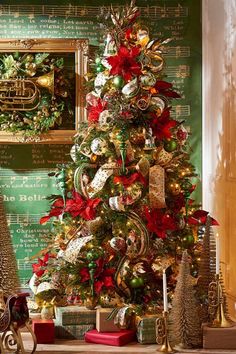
(157, 187)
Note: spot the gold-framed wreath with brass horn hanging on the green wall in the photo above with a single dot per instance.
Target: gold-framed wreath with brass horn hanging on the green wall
(41, 88)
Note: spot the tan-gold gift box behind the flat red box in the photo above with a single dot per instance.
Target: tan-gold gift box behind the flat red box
(102, 323)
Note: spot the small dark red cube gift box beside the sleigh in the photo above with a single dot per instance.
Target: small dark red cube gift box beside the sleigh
(44, 331)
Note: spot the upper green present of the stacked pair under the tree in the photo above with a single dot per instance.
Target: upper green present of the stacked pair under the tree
(75, 315)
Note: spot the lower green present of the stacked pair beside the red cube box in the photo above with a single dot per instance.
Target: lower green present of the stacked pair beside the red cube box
(71, 331)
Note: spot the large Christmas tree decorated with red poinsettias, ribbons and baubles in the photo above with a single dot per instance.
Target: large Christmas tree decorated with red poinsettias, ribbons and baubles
(124, 211)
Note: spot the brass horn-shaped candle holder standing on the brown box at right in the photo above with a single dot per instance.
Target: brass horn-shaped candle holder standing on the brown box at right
(216, 305)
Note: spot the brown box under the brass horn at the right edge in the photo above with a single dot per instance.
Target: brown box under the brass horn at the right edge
(219, 338)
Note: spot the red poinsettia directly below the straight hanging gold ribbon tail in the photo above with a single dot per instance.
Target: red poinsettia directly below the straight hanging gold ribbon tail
(159, 222)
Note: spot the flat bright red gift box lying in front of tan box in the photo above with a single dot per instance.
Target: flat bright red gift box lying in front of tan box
(110, 338)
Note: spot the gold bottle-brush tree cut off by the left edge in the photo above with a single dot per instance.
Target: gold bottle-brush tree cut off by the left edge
(9, 281)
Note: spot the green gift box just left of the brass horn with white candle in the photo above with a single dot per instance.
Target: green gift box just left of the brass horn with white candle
(146, 329)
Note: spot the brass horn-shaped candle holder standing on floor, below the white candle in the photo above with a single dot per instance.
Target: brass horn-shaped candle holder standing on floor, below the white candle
(162, 334)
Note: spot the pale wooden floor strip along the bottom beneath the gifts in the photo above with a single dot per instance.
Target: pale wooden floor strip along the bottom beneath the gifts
(80, 347)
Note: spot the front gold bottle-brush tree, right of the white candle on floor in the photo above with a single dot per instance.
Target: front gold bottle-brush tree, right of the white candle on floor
(184, 316)
